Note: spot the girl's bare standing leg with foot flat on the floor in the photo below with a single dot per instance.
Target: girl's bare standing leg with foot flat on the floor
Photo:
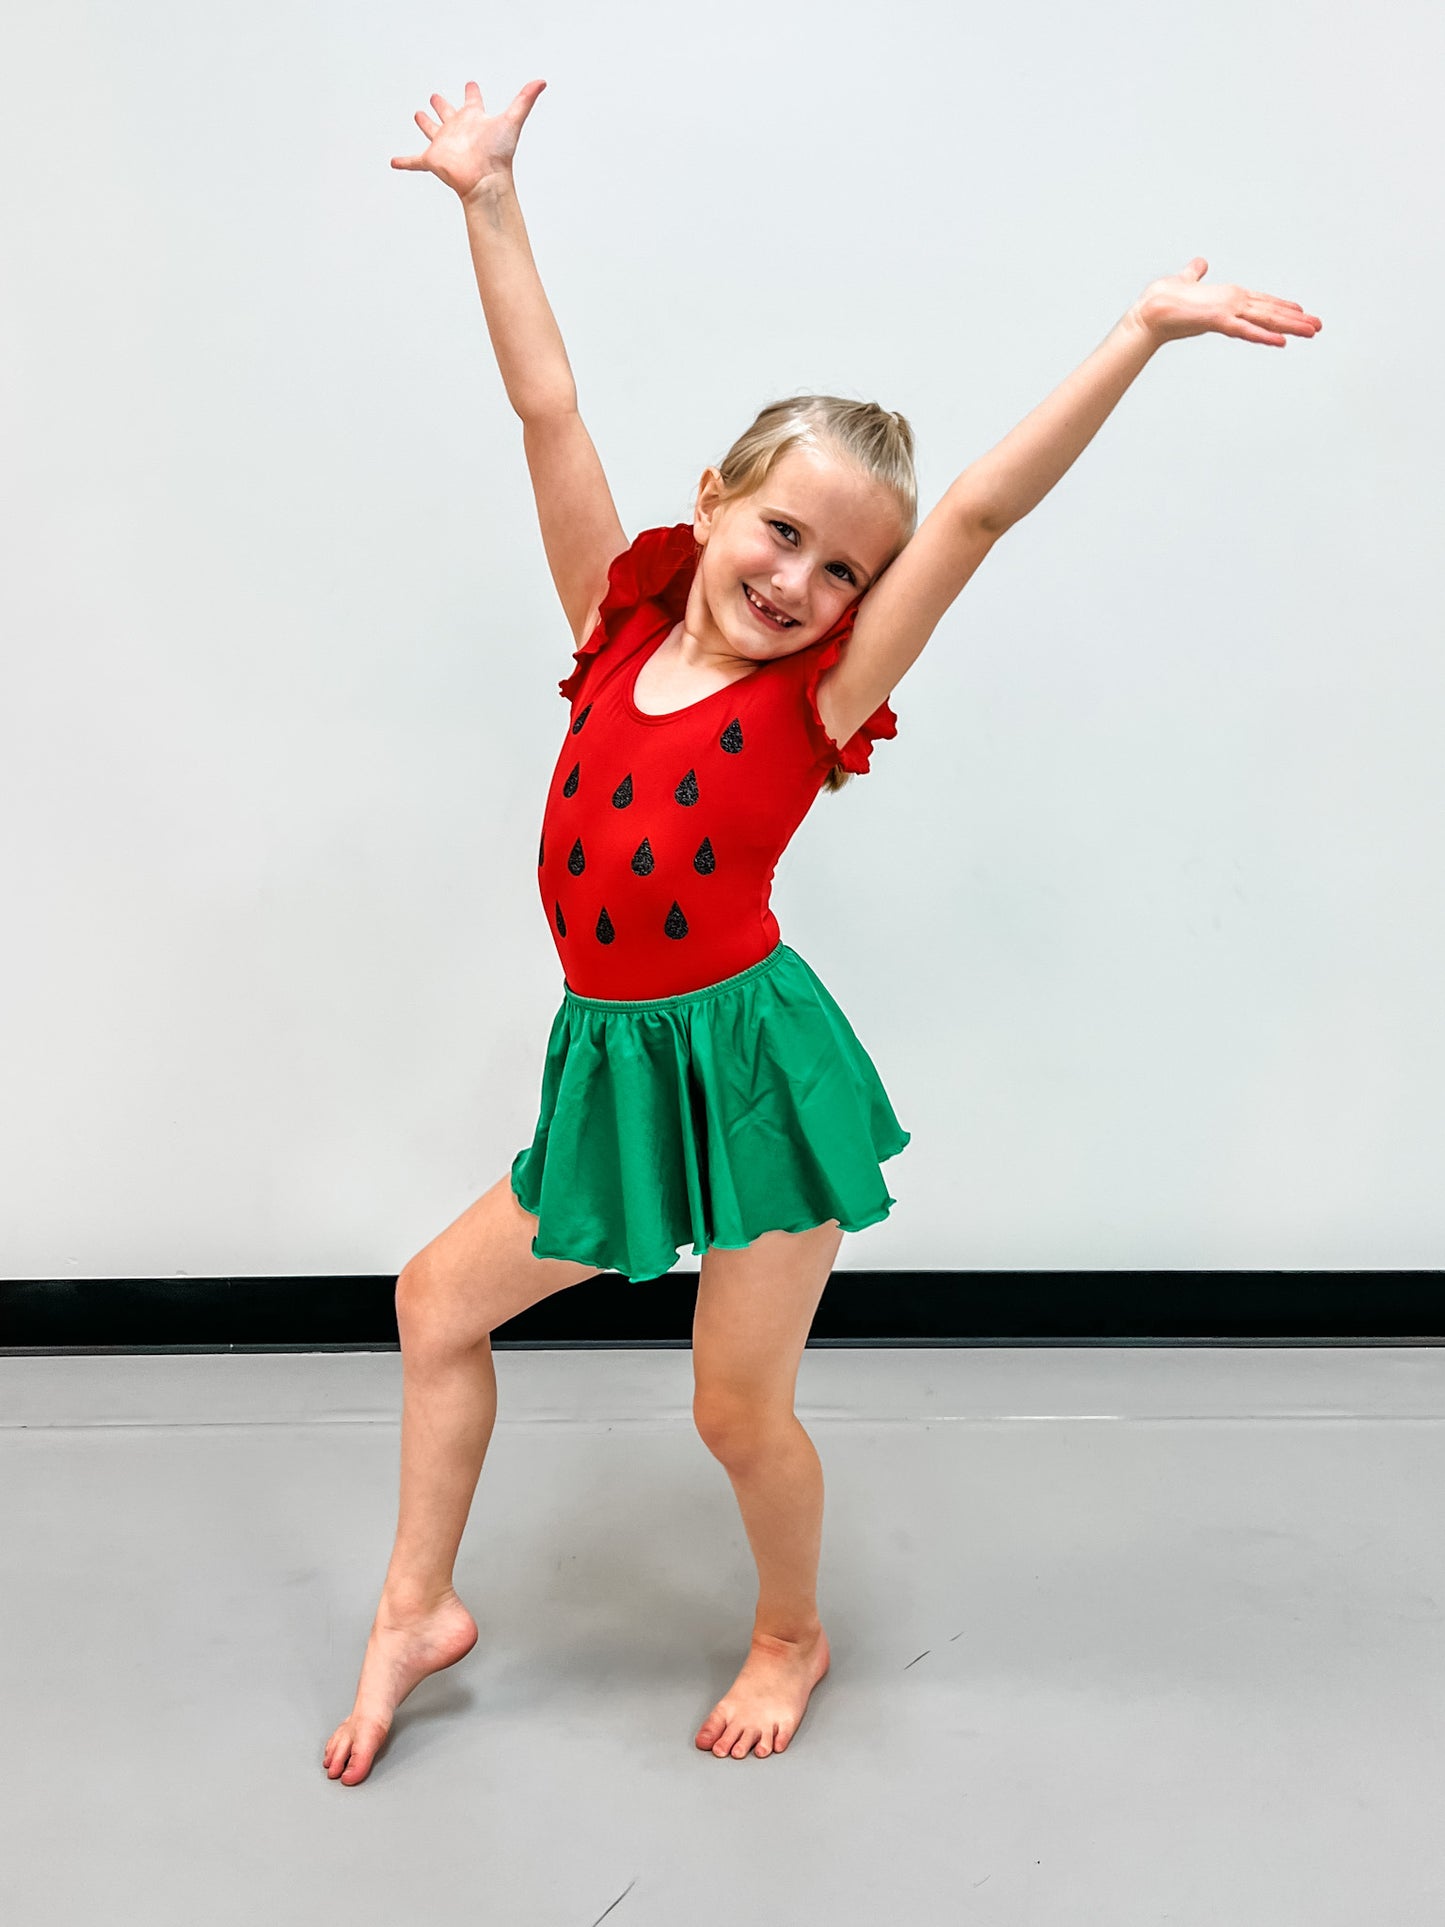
(754, 1313)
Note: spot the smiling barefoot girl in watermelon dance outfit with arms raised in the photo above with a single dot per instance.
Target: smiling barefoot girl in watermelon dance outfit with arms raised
(700, 1084)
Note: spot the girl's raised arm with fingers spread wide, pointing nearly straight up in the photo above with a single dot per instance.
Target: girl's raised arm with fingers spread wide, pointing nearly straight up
(581, 531)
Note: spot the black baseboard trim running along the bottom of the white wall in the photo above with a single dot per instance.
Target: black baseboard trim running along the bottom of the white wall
(161, 1315)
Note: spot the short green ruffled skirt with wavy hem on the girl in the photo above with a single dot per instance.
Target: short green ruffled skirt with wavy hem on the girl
(704, 1119)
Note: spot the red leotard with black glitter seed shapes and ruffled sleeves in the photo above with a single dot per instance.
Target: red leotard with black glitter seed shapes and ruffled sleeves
(662, 832)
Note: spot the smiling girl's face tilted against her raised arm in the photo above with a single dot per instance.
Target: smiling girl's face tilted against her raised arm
(808, 544)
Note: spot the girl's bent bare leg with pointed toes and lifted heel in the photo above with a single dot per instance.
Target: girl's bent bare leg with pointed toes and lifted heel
(452, 1296)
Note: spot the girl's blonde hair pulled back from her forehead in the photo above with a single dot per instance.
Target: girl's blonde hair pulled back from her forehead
(876, 440)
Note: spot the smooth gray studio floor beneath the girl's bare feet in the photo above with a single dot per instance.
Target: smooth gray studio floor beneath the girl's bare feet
(1120, 1637)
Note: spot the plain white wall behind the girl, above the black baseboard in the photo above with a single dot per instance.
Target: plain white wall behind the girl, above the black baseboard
(1140, 914)
